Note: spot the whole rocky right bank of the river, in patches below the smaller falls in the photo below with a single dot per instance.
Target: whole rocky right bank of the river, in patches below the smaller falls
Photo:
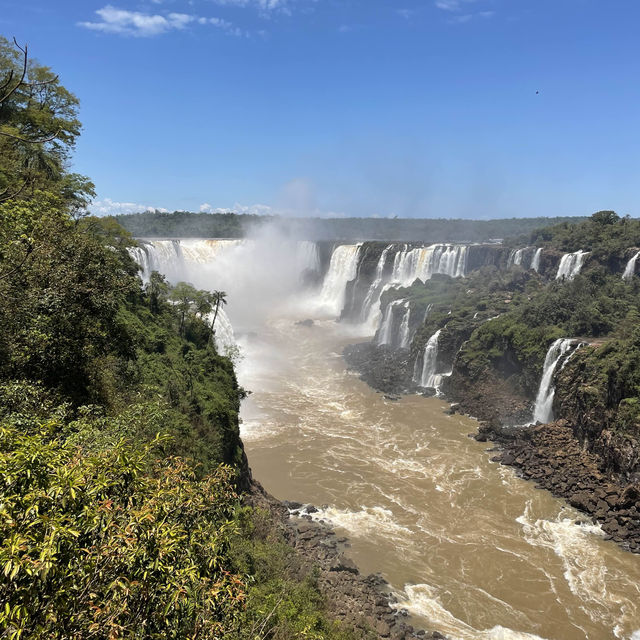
(548, 454)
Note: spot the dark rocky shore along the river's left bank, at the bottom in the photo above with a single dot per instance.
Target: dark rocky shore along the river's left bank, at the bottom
(360, 602)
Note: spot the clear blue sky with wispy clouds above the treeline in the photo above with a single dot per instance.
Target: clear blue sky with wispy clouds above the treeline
(415, 108)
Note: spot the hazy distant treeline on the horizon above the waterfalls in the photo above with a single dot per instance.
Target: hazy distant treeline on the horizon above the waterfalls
(182, 224)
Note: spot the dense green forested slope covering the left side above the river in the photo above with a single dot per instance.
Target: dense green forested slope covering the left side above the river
(121, 465)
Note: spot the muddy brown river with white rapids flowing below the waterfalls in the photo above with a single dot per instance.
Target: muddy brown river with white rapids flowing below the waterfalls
(471, 550)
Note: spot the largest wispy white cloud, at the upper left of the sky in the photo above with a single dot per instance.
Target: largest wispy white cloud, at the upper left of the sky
(145, 25)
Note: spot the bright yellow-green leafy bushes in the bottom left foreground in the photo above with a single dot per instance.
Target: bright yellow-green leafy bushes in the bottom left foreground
(93, 547)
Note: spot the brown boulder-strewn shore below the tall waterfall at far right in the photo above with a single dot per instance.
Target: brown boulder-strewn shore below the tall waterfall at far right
(551, 456)
